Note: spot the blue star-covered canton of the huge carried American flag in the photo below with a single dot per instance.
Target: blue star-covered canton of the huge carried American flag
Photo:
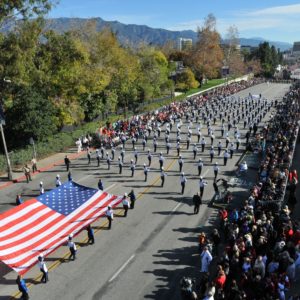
(67, 197)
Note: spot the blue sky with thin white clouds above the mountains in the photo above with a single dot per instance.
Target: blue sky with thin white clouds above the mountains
(275, 20)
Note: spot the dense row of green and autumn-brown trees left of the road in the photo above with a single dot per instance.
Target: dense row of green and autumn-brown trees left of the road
(58, 79)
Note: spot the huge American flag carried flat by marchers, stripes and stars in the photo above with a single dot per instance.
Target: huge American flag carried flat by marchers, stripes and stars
(42, 224)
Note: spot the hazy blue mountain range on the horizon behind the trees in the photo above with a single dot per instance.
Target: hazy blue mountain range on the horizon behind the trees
(133, 34)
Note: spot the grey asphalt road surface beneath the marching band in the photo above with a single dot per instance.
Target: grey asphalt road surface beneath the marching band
(145, 254)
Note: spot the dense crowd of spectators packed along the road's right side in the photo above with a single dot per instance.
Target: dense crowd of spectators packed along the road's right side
(261, 257)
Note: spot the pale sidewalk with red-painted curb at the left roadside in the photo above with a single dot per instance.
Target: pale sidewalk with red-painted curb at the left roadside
(43, 165)
